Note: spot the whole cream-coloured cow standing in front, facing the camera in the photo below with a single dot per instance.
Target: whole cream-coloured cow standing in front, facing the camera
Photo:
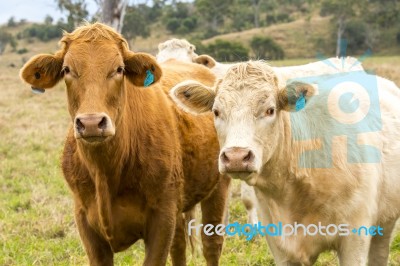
(277, 139)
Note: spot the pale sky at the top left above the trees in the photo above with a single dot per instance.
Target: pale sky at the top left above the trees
(34, 10)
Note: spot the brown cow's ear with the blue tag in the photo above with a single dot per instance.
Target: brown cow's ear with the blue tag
(142, 69)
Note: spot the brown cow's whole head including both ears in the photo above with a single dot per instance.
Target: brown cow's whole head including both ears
(95, 63)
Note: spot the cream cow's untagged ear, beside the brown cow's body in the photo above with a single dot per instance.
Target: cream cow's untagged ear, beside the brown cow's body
(193, 96)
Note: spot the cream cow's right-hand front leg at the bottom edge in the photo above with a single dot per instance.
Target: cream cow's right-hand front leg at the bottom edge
(353, 250)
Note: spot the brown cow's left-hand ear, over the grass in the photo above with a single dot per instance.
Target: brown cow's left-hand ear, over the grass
(43, 71)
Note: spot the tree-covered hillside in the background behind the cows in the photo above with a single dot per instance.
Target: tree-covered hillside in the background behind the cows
(363, 24)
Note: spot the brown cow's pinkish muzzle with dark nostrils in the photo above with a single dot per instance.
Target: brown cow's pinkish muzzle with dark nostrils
(94, 127)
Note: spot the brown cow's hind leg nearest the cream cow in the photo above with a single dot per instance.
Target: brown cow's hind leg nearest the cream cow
(213, 213)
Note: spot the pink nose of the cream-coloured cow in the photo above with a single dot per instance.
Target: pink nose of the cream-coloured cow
(237, 159)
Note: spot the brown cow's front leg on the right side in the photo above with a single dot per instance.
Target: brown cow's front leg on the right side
(159, 232)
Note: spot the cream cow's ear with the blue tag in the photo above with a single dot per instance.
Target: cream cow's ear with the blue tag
(295, 96)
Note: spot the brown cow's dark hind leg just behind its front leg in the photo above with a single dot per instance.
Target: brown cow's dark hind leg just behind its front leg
(178, 249)
